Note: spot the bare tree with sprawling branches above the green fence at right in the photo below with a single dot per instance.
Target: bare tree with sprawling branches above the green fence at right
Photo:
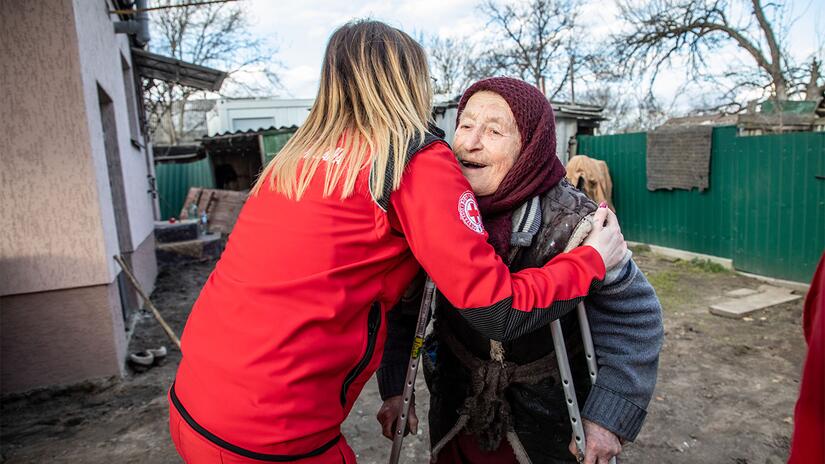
(664, 30)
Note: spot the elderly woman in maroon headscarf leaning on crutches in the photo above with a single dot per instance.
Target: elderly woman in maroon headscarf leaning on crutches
(493, 402)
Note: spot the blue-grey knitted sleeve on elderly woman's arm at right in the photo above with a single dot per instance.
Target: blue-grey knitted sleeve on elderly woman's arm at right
(626, 322)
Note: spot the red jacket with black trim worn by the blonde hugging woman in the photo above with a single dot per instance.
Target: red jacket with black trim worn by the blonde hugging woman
(285, 331)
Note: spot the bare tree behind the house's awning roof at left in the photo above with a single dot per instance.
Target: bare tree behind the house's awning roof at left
(214, 35)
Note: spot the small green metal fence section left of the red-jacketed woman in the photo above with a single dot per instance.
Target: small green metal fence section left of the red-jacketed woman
(175, 179)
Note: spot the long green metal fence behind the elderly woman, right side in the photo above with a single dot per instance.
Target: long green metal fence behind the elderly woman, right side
(765, 208)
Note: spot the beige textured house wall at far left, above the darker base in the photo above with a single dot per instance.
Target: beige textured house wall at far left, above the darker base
(52, 236)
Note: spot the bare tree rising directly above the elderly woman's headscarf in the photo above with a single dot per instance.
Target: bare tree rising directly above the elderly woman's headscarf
(534, 41)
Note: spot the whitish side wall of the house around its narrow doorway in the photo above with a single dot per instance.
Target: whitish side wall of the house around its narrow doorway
(100, 59)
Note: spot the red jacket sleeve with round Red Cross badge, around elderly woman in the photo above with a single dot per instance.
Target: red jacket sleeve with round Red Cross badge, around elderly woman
(439, 217)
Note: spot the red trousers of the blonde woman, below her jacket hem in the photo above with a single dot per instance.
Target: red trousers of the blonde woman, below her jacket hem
(195, 449)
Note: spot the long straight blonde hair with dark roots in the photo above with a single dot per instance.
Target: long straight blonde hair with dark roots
(375, 96)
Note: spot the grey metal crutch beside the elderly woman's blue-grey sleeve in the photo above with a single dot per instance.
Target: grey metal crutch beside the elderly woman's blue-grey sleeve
(567, 377)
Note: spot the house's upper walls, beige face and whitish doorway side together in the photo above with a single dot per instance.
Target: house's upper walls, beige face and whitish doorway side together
(58, 221)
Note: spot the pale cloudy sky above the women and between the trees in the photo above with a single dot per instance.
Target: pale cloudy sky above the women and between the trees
(300, 29)
